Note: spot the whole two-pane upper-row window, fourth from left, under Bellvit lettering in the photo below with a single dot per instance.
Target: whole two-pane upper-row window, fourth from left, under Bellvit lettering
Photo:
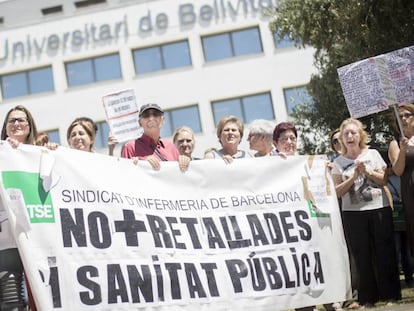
(232, 44)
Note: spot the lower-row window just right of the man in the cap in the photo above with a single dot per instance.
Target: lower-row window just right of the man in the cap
(175, 118)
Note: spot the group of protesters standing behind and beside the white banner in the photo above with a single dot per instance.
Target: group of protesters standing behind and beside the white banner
(358, 173)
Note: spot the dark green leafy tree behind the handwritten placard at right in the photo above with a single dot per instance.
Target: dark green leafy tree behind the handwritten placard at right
(341, 32)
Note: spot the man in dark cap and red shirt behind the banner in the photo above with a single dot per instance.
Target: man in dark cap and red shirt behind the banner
(150, 146)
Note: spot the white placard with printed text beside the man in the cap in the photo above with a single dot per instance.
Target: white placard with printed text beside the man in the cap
(122, 115)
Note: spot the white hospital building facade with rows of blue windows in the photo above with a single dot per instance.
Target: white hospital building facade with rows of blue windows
(199, 60)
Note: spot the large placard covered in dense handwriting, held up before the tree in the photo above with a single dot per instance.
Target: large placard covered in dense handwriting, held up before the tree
(373, 84)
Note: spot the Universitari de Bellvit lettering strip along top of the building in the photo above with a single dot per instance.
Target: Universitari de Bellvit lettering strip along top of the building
(188, 14)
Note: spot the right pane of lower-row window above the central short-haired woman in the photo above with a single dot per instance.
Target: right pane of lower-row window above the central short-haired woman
(258, 107)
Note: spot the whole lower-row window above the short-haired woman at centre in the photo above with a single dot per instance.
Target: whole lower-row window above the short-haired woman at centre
(247, 108)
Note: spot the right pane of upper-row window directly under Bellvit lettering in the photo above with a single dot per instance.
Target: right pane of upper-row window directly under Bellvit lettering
(247, 42)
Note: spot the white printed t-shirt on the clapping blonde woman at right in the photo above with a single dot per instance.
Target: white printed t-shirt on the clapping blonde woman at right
(364, 194)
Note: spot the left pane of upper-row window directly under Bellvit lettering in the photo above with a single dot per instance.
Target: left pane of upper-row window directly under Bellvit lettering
(217, 47)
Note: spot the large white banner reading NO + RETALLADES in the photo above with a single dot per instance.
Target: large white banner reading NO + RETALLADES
(101, 233)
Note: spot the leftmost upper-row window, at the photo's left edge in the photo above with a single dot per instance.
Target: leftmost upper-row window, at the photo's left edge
(27, 82)
